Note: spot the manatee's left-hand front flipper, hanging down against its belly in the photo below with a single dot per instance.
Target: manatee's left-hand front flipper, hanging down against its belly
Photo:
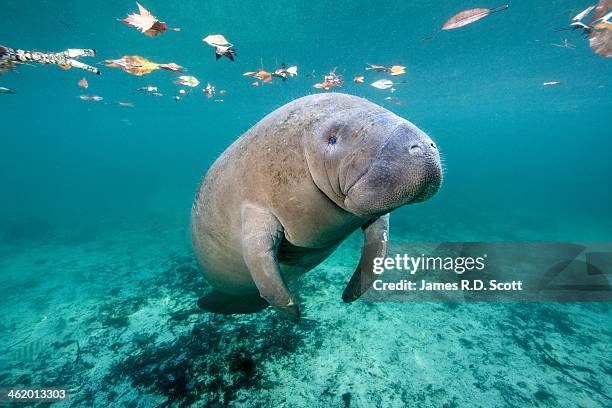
(262, 233)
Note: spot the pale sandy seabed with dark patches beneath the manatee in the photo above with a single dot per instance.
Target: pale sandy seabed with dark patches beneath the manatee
(109, 312)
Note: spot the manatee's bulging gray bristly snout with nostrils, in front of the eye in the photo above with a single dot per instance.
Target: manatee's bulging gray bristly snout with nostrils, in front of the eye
(406, 170)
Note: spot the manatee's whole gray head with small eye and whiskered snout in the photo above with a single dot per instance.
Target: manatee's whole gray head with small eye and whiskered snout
(370, 161)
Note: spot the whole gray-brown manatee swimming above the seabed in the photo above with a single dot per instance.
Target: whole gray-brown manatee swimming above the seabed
(282, 197)
